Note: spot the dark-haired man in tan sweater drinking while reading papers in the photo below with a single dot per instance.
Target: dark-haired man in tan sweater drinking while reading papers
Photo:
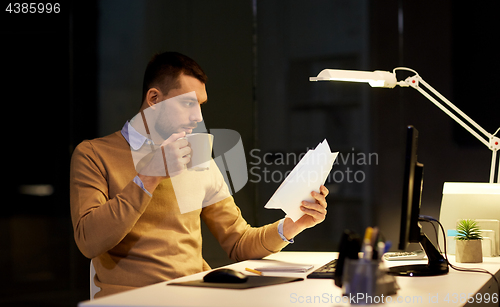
(128, 220)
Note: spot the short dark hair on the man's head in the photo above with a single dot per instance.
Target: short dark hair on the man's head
(163, 72)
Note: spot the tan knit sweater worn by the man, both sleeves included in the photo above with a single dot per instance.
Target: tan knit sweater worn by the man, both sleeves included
(137, 240)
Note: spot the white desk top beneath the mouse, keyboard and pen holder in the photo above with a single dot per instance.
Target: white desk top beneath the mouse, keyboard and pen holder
(449, 290)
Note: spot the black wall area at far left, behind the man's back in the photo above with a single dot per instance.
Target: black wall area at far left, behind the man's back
(49, 90)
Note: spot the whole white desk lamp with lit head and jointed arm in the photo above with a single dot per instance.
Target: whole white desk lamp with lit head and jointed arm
(387, 79)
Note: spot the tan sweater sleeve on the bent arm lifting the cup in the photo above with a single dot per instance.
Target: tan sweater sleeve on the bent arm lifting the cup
(100, 223)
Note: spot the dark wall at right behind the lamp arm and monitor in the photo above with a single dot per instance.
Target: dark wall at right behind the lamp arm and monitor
(447, 43)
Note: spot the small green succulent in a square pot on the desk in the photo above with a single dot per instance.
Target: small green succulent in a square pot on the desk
(468, 248)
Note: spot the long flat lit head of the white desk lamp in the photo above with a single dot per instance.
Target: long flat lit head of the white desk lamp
(376, 78)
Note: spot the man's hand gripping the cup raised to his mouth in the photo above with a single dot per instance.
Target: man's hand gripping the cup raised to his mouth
(167, 161)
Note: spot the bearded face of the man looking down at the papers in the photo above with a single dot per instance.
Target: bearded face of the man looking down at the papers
(181, 115)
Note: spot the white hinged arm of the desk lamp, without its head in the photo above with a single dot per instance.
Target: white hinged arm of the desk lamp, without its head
(492, 142)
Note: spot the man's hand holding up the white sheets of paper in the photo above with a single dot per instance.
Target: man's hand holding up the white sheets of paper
(315, 213)
